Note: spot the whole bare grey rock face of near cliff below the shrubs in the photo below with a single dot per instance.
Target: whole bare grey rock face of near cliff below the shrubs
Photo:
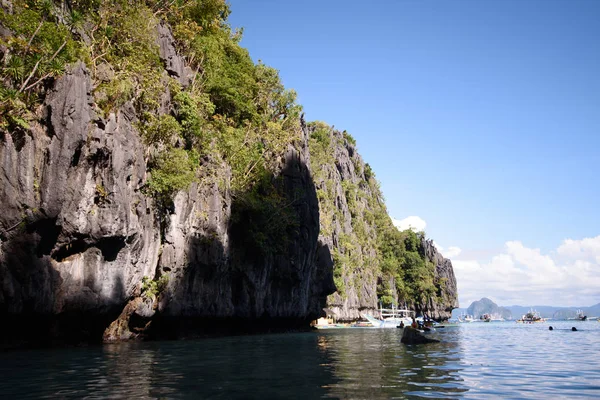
(78, 234)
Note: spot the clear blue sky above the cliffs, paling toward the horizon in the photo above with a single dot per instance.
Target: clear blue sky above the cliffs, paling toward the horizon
(482, 118)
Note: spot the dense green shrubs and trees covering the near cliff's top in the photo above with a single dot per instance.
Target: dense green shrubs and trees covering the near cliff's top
(226, 111)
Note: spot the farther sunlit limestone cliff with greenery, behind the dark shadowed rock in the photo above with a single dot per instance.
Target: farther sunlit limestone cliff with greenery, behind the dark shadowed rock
(355, 225)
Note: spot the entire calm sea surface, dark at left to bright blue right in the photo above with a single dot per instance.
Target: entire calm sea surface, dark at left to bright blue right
(478, 360)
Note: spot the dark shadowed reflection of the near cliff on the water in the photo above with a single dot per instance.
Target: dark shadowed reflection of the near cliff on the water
(273, 366)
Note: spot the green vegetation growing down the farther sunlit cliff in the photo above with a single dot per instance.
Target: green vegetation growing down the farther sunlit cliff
(371, 247)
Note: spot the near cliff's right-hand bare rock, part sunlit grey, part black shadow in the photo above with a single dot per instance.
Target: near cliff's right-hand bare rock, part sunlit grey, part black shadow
(217, 270)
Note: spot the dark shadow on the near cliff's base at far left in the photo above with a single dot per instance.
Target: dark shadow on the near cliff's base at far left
(33, 306)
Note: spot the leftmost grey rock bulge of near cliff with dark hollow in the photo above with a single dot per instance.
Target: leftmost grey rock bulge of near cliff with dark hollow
(77, 234)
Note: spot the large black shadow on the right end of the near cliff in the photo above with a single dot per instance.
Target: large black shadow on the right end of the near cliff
(263, 271)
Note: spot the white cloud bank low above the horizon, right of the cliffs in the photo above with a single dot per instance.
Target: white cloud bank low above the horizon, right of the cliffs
(569, 276)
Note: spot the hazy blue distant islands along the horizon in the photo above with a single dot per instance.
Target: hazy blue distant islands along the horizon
(487, 306)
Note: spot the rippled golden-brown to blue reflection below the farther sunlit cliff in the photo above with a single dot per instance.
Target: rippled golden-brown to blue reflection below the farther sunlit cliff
(373, 364)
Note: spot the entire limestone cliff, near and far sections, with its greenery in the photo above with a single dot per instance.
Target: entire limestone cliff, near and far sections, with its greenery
(170, 186)
